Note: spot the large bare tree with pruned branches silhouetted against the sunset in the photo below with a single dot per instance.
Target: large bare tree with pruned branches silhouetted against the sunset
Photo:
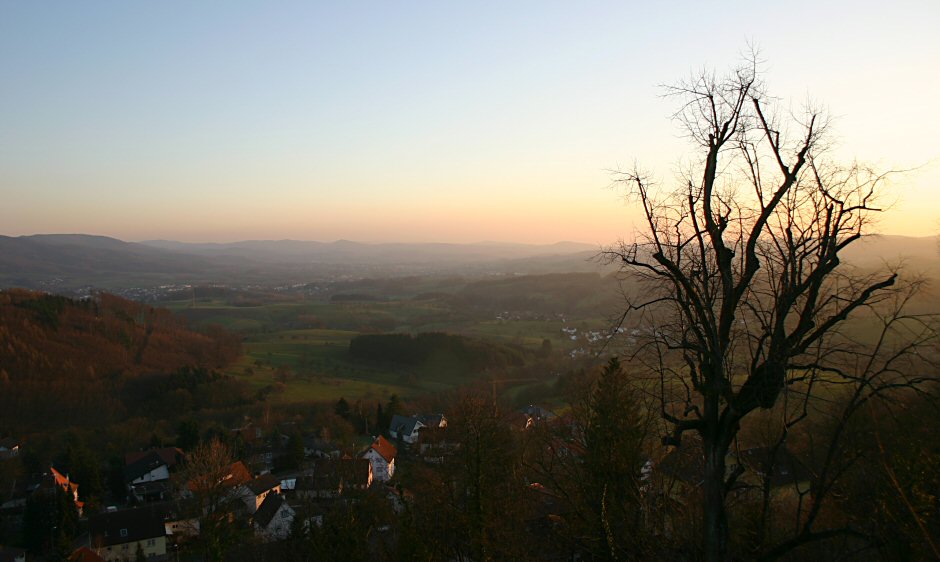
(744, 295)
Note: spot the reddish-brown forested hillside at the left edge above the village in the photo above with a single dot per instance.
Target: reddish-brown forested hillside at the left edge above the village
(70, 360)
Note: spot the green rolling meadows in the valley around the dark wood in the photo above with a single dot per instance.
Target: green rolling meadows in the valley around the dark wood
(296, 347)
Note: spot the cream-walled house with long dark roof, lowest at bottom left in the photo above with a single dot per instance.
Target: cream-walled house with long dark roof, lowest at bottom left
(117, 535)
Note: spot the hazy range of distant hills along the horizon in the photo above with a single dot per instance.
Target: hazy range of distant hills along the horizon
(60, 263)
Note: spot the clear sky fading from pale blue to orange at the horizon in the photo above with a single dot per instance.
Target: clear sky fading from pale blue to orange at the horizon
(420, 121)
